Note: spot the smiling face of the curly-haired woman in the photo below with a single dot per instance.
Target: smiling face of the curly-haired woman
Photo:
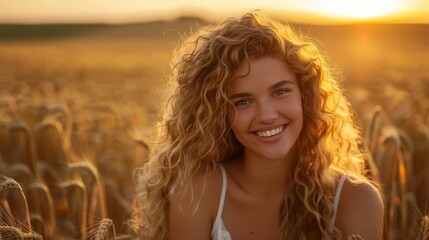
(266, 115)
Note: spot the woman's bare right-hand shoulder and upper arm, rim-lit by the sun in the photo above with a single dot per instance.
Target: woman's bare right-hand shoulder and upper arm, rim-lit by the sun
(360, 210)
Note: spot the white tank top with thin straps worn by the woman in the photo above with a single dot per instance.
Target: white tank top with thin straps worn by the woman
(219, 232)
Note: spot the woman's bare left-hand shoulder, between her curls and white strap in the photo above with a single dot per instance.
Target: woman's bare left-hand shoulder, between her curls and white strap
(193, 208)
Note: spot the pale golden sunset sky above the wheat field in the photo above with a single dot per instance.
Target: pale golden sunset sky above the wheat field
(124, 11)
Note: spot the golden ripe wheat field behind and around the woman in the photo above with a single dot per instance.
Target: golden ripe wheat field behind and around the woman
(79, 105)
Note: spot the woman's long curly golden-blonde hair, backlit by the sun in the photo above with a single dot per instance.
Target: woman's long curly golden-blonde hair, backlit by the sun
(197, 136)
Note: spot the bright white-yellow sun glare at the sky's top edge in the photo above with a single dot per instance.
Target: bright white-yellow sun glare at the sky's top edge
(359, 8)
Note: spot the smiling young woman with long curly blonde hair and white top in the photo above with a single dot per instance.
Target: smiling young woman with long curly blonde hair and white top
(259, 144)
